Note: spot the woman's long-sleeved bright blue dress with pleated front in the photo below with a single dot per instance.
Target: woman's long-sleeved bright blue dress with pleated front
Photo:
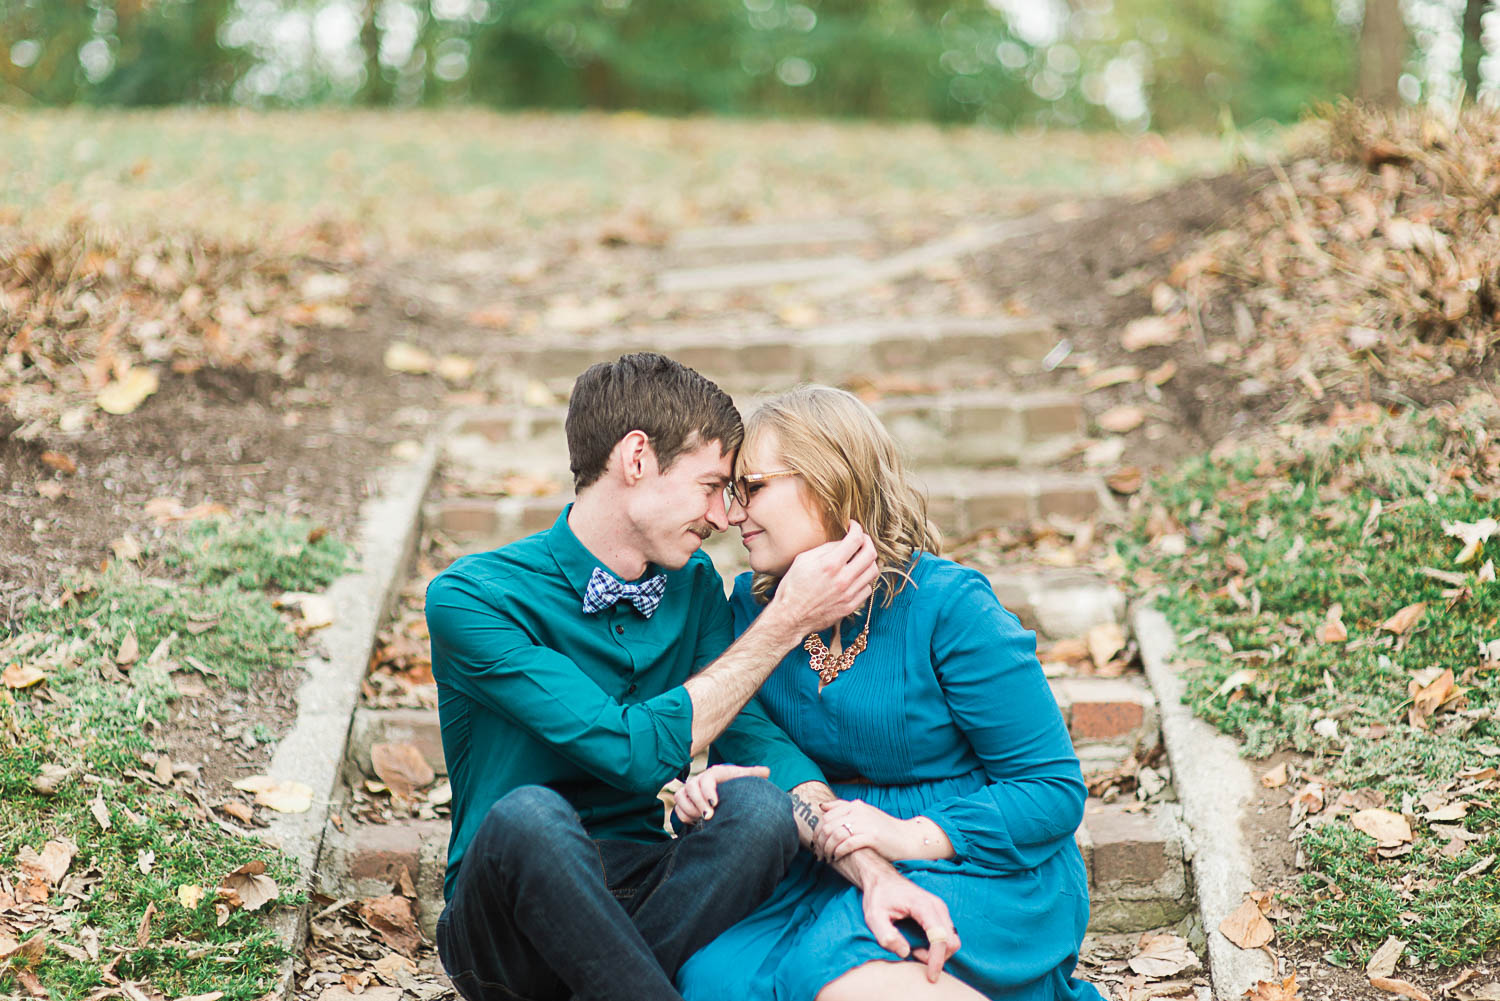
(946, 715)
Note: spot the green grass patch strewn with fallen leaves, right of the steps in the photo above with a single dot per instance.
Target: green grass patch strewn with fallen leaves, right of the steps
(1249, 553)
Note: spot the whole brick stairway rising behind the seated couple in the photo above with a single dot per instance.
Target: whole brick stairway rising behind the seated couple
(994, 436)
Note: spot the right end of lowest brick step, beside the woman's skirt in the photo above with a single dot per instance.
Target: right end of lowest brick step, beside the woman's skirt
(1139, 876)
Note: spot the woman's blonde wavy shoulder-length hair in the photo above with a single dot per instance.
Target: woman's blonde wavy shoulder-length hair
(854, 470)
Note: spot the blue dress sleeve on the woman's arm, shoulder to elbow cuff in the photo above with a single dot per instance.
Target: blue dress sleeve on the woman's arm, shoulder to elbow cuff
(986, 666)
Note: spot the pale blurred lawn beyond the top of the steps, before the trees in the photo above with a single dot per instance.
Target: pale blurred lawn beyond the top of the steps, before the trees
(452, 176)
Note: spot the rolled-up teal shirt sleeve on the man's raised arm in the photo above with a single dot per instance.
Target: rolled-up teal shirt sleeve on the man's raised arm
(487, 655)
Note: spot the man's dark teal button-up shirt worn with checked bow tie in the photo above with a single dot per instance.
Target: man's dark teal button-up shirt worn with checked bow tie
(533, 691)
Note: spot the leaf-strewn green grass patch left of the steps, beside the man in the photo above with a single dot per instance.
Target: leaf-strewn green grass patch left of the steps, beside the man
(95, 727)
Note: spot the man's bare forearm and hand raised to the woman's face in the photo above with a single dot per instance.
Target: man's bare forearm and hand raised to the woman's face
(823, 588)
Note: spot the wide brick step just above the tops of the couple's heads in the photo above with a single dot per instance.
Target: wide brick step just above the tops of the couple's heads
(770, 358)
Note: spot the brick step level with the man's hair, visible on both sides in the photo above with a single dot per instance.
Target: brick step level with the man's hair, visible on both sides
(959, 428)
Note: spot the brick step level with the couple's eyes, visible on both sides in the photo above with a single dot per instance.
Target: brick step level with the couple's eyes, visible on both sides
(961, 502)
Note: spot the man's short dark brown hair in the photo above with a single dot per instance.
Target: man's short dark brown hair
(676, 407)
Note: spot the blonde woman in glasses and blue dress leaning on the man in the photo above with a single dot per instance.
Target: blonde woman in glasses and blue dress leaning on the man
(932, 720)
